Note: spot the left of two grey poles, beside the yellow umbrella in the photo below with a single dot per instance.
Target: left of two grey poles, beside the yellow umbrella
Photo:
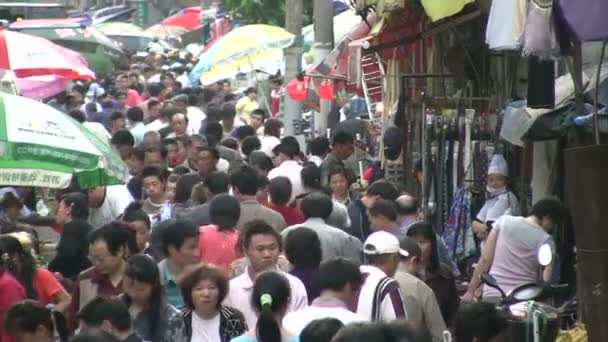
(293, 63)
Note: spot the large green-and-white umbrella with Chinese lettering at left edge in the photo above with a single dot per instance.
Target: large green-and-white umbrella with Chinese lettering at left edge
(42, 147)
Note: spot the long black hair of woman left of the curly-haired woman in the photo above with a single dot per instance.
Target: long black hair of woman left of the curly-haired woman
(142, 268)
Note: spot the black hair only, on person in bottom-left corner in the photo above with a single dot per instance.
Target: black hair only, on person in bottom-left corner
(26, 317)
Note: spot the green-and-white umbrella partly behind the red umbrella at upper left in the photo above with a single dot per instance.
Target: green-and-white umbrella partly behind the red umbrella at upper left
(102, 53)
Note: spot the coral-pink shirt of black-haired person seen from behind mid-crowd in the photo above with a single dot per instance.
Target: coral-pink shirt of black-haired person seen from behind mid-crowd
(219, 248)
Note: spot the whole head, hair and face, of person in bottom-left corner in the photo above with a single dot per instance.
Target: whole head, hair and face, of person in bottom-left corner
(29, 321)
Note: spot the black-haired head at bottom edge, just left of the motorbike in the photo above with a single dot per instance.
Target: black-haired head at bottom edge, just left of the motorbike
(479, 322)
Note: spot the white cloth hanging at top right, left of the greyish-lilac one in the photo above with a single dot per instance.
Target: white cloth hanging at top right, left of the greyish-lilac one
(506, 24)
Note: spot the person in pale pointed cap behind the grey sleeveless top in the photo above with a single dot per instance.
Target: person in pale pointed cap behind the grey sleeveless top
(499, 200)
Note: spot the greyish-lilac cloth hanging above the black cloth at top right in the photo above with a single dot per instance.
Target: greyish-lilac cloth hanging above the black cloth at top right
(539, 37)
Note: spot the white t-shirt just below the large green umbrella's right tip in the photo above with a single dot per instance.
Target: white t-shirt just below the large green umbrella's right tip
(117, 199)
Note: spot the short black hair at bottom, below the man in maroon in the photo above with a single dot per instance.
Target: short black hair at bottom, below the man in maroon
(102, 309)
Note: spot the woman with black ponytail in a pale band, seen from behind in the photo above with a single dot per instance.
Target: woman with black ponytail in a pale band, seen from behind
(270, 298)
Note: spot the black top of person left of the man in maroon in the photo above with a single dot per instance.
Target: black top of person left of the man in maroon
(72, 250)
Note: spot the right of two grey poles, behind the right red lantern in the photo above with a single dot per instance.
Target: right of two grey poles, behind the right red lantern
(323, 15)
